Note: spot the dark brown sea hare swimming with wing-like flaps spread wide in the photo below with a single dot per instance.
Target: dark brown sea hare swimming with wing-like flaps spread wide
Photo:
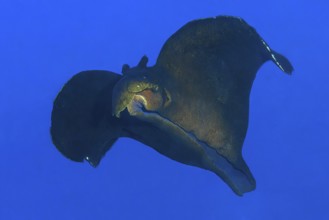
(191, 106)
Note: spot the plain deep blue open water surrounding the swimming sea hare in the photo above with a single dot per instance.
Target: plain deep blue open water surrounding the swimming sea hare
(44, 43)
